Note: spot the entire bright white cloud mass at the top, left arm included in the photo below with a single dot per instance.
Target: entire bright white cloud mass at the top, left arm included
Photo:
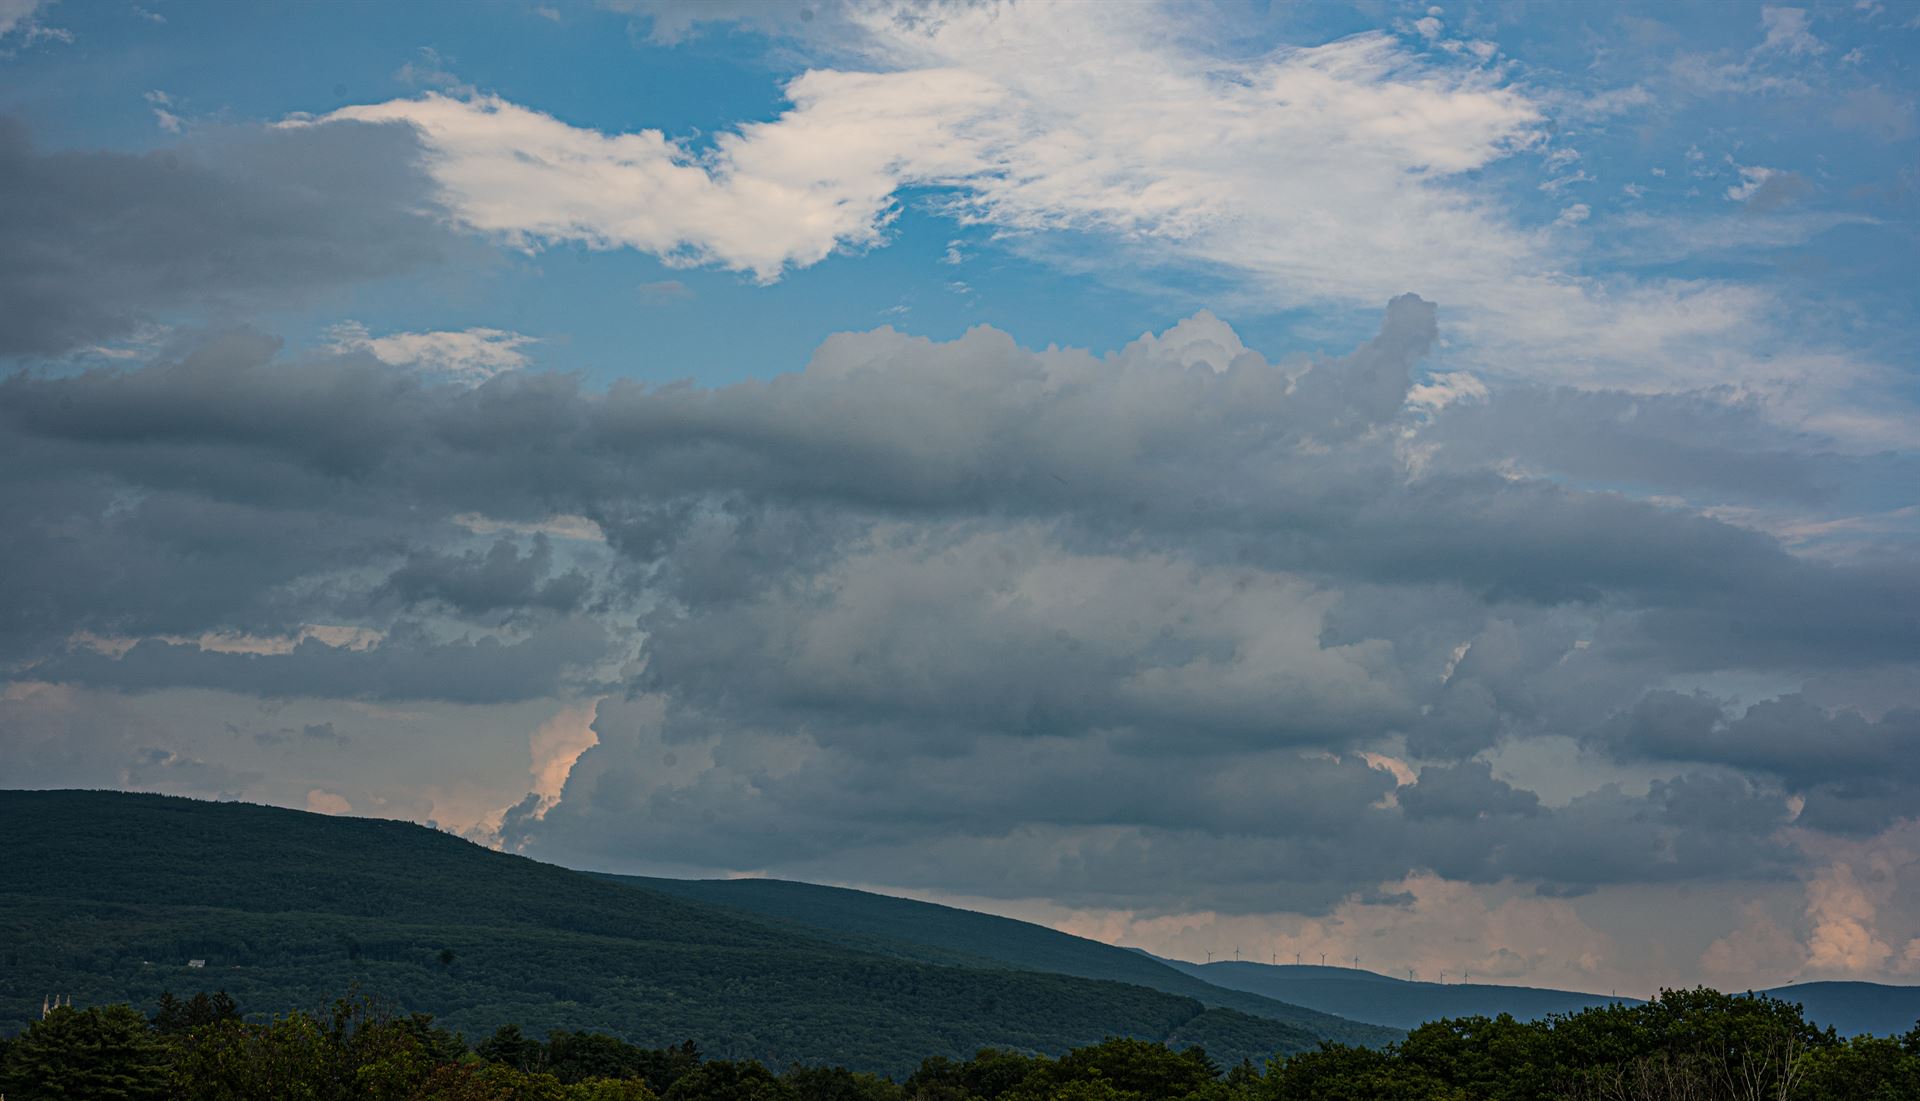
(948, 114)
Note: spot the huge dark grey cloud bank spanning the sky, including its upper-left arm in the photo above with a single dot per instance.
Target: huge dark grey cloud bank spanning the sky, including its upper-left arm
(961, 616)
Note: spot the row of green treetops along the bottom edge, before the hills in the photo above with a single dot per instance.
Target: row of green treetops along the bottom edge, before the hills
(1685, 1046)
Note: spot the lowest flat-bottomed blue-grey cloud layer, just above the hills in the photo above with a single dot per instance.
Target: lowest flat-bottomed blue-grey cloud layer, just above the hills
(1111, 823)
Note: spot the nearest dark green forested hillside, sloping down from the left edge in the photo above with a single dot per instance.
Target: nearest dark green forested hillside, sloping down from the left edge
(110, 896)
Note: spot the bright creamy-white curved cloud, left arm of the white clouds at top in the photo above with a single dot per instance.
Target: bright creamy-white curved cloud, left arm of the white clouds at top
(757, 207)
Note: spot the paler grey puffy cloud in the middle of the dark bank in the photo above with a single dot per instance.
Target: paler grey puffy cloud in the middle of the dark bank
(1070, 643)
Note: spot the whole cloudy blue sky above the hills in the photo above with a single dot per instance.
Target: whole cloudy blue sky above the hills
(1437, 485)
